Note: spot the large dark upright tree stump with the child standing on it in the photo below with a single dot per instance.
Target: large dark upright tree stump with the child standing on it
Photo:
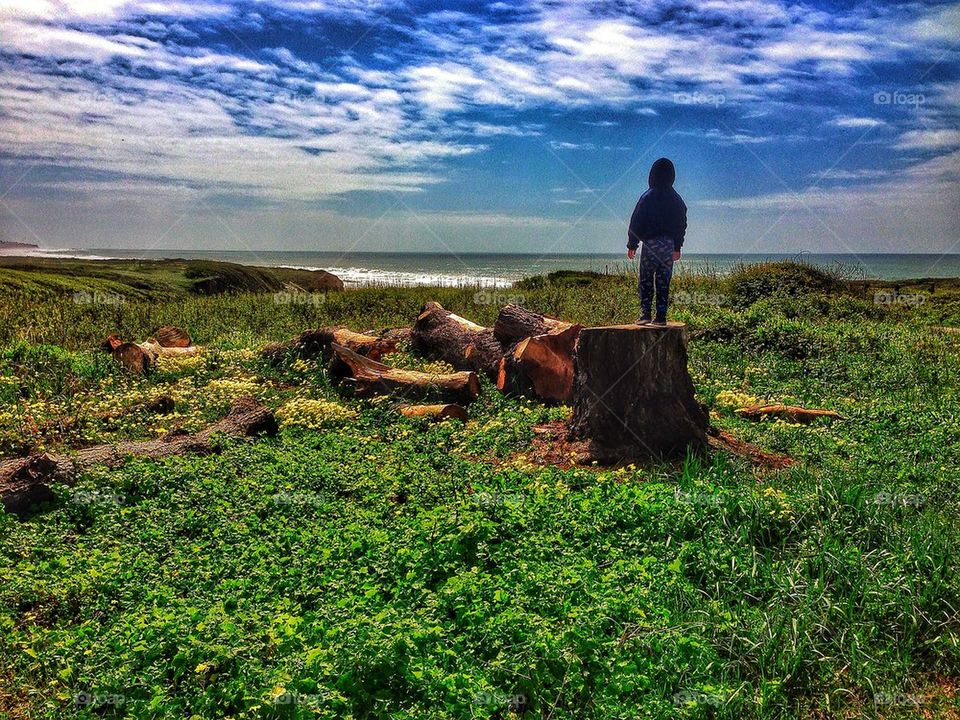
(633, 396)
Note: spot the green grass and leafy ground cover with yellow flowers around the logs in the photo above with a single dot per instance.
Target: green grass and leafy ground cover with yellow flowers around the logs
(364, 565)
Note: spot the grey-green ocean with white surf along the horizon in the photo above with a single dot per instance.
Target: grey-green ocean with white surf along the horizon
(501, 269)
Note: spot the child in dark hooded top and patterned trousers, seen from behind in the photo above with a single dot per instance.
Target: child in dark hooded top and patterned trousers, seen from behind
(659, 221)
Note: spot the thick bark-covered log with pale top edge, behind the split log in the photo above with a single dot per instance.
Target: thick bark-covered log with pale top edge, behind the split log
(439, 333)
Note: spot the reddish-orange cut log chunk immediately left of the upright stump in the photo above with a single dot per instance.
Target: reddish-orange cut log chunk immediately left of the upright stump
(540, 366)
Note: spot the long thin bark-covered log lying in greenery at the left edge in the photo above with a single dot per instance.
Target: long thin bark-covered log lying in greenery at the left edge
(26, 481)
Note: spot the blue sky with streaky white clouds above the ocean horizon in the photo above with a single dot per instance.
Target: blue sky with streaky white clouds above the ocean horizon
(478, 126)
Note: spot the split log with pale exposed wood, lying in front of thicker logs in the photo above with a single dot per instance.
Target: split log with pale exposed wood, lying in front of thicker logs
(370, 377)
